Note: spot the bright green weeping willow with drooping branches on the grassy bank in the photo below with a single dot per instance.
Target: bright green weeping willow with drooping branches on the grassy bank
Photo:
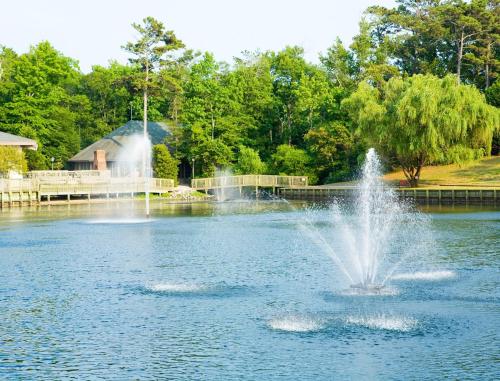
(424, 120)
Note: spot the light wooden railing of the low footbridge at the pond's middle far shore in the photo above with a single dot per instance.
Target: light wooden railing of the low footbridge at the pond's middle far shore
(266, 181)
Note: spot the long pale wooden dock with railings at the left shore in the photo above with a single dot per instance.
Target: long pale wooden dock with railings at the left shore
(41, 187)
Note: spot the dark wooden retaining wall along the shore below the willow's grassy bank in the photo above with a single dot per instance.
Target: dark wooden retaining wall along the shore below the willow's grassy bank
(428, 195)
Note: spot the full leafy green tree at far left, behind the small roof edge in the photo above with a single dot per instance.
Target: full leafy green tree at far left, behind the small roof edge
(39, 100)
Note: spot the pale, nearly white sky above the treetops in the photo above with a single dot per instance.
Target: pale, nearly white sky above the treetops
(93, 31)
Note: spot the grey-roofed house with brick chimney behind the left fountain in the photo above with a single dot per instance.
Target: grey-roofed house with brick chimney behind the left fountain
(116, 152)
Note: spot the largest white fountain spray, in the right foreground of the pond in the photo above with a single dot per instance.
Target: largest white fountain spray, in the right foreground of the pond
(375, 234)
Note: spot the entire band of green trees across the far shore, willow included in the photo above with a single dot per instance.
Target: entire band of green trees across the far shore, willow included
(398, 82)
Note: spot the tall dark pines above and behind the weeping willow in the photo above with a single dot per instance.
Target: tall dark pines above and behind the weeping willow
(440, 37)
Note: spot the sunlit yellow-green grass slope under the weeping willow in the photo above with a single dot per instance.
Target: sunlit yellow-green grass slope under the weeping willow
(484, 172)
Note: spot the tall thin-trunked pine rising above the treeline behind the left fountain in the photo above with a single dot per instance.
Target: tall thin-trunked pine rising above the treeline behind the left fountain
(149, 51)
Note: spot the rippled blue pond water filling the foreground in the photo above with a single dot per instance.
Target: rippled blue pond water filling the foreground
(237, 291)
